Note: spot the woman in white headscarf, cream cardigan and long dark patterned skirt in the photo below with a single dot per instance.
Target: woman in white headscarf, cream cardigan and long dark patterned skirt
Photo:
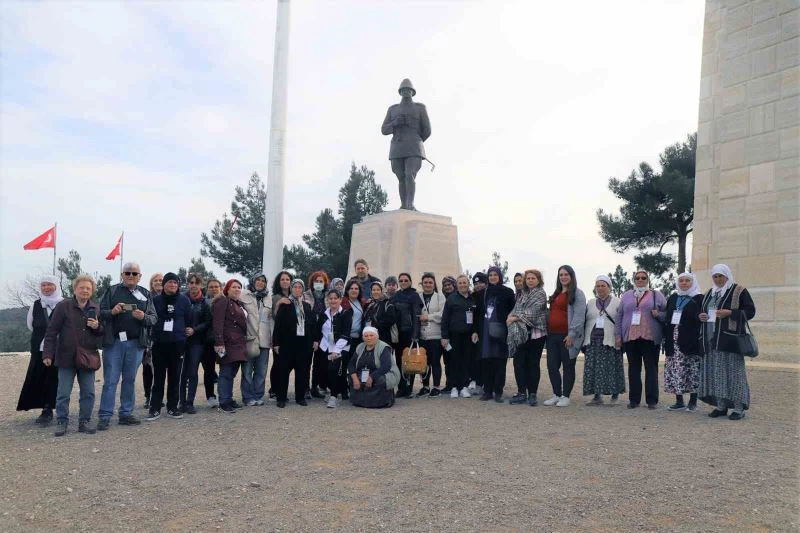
(603, 370)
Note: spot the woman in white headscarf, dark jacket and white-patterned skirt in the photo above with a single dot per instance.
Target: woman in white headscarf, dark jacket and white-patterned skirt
(681, 342)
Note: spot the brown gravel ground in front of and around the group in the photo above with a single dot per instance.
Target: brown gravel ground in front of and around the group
(426, 465)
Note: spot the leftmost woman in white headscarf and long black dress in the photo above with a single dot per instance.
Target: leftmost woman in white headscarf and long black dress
(41, 382)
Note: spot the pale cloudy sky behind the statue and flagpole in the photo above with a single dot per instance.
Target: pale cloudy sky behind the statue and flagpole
(143, 116)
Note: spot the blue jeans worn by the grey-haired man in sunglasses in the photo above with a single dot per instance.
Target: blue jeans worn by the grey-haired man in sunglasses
(121, 359)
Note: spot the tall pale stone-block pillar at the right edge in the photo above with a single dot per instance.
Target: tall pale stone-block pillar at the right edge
(747, 187)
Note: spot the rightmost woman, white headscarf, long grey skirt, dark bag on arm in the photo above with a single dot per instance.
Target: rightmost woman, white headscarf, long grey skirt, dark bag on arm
(725, 310)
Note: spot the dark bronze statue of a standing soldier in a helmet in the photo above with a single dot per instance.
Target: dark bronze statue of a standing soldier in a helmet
(408, 124)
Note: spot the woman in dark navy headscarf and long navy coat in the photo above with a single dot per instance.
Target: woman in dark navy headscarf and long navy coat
(492, 312)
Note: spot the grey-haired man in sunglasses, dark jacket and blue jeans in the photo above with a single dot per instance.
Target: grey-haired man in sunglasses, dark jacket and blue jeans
(128, 314)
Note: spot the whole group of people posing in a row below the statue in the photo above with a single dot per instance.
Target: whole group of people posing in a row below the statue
(345, 340)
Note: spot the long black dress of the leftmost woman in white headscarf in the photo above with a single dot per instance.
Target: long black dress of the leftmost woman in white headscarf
(41, 382)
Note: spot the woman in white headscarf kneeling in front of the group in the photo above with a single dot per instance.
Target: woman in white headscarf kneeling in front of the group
(373, 372)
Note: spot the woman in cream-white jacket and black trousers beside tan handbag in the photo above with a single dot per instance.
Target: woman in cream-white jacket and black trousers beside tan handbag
(430, 322)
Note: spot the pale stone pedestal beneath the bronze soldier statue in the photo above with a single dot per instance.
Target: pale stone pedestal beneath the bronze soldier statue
(406, 241)
